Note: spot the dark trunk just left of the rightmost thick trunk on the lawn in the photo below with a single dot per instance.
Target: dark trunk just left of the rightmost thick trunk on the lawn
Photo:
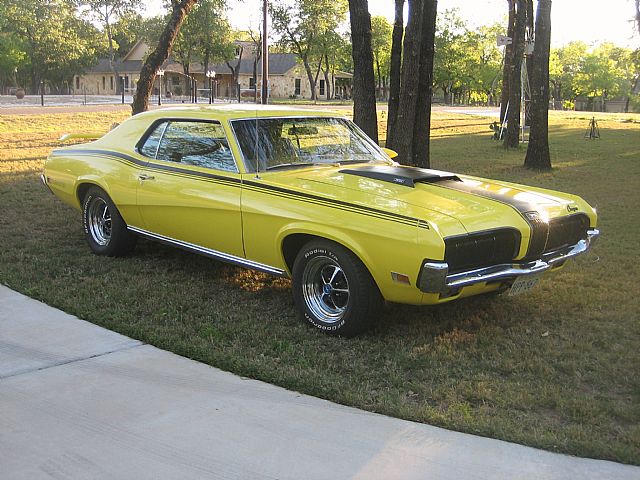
(512, 135)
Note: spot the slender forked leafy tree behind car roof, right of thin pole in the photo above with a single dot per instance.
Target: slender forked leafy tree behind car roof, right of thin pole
(302, 26)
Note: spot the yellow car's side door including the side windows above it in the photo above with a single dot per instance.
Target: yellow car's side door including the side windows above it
(189, 189)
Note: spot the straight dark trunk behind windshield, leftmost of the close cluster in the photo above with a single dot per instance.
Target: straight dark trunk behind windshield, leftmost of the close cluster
(364, 85)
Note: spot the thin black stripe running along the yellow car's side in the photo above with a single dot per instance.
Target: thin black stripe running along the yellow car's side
(252, 185)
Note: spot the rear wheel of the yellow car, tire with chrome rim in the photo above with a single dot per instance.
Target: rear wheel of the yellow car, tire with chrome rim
(105, 230)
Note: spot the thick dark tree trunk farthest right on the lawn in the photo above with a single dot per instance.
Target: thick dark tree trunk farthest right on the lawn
(538, 156)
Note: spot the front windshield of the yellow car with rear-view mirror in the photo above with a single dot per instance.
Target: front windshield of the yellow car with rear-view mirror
(291, 142)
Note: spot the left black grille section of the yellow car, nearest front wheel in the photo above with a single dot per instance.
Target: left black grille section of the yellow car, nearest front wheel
(482, 249)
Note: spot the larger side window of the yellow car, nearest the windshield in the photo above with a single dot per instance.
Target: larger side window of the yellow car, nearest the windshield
(201, 144)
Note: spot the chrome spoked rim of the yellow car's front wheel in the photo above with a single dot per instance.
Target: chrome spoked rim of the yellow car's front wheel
(325, 289)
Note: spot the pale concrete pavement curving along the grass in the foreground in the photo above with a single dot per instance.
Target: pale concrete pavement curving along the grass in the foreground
(80, 402)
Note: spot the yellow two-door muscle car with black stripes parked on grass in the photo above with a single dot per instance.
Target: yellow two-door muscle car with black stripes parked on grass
(305, 194)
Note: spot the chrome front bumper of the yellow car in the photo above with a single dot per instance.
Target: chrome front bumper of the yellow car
(435, 278)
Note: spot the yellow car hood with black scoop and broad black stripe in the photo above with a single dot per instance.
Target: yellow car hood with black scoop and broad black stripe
(453, 204)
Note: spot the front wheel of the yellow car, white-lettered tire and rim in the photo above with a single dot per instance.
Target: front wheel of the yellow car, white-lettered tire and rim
(333, 290)
